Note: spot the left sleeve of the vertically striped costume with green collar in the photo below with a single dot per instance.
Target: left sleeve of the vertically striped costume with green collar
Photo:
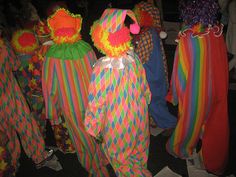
(50, 93)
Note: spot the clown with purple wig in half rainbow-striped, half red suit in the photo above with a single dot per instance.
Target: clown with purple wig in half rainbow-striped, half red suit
(199, 85)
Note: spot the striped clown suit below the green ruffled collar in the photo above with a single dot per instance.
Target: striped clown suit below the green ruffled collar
(65, 85)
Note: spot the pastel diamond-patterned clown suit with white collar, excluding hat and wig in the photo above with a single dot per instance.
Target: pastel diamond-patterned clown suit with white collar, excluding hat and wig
(118, 111)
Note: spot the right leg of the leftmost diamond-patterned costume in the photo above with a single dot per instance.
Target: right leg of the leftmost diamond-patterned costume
(27, 128)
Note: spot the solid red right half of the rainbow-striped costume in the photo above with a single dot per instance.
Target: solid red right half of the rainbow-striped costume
(215, 140)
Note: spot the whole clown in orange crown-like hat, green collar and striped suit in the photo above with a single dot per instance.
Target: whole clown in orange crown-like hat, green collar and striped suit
(66, 74)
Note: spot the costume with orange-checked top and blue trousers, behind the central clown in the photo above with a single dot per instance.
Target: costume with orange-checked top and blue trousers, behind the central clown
(148, 43)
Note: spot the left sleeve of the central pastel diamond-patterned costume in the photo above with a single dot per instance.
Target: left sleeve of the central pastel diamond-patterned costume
(95, 112)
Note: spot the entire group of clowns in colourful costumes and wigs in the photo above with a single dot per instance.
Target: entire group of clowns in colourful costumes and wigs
(102, 108)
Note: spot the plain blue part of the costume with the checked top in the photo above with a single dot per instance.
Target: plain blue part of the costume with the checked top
(157, 79)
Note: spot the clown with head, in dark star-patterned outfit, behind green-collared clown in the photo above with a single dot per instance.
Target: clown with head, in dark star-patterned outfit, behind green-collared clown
(36, 94)
